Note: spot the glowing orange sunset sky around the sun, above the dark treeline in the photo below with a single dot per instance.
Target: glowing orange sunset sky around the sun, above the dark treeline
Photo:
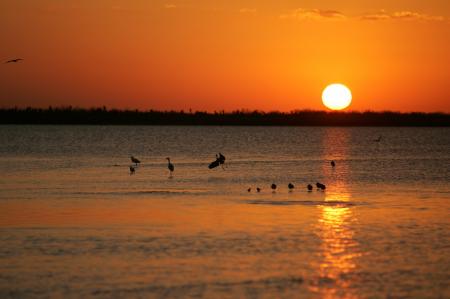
(225, 54)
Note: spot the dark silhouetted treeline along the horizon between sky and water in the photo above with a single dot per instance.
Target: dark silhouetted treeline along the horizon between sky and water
(104, 116)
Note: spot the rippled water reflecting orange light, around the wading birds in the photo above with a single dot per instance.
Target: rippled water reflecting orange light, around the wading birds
(74, 223)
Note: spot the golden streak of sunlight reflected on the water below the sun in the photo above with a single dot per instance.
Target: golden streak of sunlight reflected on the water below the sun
(339, 250)
